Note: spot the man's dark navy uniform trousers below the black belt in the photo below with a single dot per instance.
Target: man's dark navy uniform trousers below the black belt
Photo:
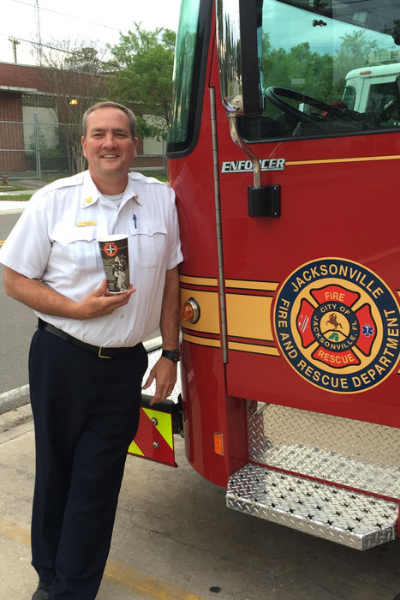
(86, 413)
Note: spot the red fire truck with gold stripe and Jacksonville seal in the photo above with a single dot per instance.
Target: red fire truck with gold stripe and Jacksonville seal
(288, 199)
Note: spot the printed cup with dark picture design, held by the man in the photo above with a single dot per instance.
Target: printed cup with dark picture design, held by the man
(114, 253)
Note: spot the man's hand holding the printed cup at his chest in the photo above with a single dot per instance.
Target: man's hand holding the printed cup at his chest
(100, 302)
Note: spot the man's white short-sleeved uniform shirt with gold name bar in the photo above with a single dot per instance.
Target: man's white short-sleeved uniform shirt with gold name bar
(55, 241)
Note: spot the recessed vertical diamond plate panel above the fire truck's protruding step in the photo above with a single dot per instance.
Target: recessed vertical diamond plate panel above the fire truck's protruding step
(352, 453)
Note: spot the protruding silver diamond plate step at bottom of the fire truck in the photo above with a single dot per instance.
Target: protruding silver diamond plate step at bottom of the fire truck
(345, 517)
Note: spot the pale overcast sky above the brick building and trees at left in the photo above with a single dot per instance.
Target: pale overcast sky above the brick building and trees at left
(96, 21)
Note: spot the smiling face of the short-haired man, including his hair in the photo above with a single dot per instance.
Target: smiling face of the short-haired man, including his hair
(108, 145)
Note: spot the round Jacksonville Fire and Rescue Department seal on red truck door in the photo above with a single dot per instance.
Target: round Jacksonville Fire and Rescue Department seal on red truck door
(338, 325)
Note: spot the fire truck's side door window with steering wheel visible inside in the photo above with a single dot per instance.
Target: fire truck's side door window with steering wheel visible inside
(327, 68)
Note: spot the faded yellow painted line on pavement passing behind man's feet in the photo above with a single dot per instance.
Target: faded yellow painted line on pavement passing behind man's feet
(118, 573)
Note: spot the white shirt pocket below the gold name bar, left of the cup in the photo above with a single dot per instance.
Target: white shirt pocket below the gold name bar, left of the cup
(81, 248)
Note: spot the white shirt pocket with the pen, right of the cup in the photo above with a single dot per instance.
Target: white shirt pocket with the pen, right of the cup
(148, 242)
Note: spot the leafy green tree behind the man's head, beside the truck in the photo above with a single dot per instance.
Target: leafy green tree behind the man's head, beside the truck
(142, 68)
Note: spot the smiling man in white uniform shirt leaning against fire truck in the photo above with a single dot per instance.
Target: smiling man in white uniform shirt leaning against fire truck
(86, 359)
